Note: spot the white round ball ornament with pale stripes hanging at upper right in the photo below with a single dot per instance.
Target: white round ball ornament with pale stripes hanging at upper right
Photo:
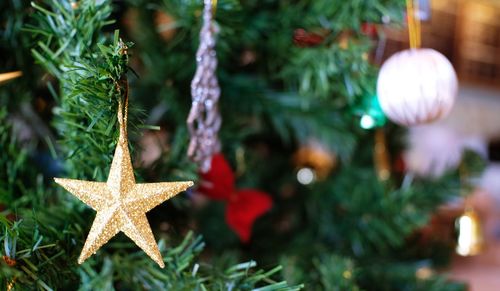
(417, 86)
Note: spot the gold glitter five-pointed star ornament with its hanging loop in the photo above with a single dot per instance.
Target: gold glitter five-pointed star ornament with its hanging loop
(121, 204)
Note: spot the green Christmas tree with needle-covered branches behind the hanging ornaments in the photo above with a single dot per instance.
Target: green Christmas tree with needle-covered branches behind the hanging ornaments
(296, 79)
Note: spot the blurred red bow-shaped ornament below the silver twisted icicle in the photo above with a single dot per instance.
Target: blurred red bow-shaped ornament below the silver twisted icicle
(244, 206)
